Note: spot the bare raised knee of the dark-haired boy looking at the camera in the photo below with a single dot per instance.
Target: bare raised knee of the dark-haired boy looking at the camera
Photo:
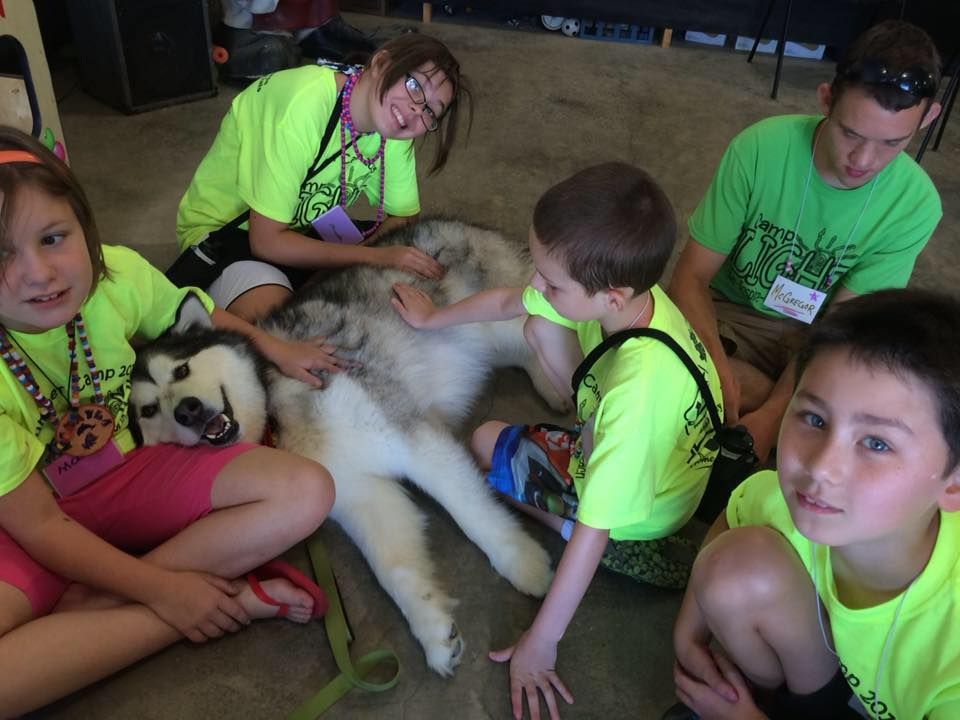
(747, 570)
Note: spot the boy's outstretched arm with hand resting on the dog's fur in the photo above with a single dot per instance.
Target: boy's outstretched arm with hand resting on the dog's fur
(418, 310)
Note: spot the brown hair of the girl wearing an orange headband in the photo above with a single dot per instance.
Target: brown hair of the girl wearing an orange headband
(52, 176)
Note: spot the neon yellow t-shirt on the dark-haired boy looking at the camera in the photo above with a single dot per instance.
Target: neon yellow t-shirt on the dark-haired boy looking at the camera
(921, 674)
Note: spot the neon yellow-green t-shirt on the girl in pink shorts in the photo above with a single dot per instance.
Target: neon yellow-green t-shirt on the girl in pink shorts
(136, 300)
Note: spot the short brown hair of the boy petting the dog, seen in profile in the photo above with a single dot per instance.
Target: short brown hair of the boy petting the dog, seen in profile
(611, 225)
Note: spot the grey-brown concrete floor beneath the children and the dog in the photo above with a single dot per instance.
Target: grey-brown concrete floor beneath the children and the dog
(546, 106)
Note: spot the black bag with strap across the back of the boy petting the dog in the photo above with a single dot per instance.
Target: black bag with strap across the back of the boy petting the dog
(735, 459)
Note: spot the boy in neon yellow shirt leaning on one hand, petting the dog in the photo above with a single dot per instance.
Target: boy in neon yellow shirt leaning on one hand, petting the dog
(632, 472)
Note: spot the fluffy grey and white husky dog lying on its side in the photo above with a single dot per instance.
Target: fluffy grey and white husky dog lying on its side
(373, 426)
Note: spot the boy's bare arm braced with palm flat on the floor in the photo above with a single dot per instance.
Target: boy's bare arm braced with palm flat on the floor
(533, 657)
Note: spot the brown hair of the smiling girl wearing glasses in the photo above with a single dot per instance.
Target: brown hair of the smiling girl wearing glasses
(411, 51)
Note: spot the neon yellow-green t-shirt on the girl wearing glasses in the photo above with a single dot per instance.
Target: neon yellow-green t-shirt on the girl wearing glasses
(267, 144)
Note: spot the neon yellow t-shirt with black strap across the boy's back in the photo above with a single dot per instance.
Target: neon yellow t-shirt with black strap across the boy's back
(642, 460)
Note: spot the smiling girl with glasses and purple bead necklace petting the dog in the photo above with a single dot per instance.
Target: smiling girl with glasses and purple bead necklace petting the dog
(296, 149)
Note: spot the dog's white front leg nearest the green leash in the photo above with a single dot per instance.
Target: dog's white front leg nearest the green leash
(389, 530)
